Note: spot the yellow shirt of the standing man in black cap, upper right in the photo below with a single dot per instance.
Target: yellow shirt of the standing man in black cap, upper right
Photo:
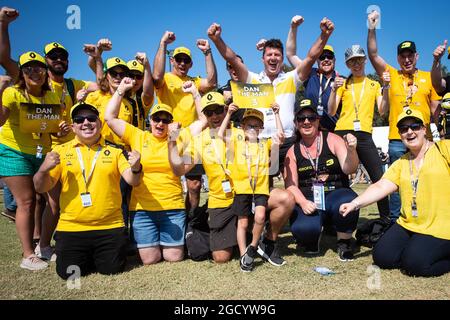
(421, 100)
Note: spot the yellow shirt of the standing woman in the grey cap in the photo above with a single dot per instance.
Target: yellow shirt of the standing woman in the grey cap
(372, 90)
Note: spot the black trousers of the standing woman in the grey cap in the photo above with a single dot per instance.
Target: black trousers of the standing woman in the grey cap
(368, 155)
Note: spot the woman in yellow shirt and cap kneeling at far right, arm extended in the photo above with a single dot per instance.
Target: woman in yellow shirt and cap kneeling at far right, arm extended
(419, 243)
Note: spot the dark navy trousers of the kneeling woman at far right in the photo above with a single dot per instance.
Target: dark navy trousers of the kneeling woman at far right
(417, 254)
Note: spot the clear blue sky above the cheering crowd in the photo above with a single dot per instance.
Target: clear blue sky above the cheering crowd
(138, 26)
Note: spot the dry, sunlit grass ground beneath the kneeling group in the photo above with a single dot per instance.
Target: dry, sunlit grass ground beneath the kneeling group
(207, 280)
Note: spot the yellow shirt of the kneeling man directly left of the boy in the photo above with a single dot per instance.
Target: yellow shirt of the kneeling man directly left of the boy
(210, 150)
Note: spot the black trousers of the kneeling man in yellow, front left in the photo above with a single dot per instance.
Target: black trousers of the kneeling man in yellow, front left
(100, 251)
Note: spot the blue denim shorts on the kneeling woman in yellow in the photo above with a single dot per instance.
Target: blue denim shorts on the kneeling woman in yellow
(158, 228)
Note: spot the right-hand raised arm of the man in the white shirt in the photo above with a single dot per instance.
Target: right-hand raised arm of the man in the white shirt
(305, 67)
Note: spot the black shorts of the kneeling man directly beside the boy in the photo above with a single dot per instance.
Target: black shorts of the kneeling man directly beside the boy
(222, 226)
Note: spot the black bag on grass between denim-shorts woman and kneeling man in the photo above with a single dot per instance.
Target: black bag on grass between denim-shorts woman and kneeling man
(197, 234)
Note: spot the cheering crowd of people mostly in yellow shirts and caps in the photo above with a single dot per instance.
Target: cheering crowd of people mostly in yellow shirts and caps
(107, 180)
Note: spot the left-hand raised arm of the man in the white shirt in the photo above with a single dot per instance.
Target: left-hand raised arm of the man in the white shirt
(215, 34)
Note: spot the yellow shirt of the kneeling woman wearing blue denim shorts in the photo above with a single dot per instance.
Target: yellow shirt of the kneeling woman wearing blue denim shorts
(160, 188)
